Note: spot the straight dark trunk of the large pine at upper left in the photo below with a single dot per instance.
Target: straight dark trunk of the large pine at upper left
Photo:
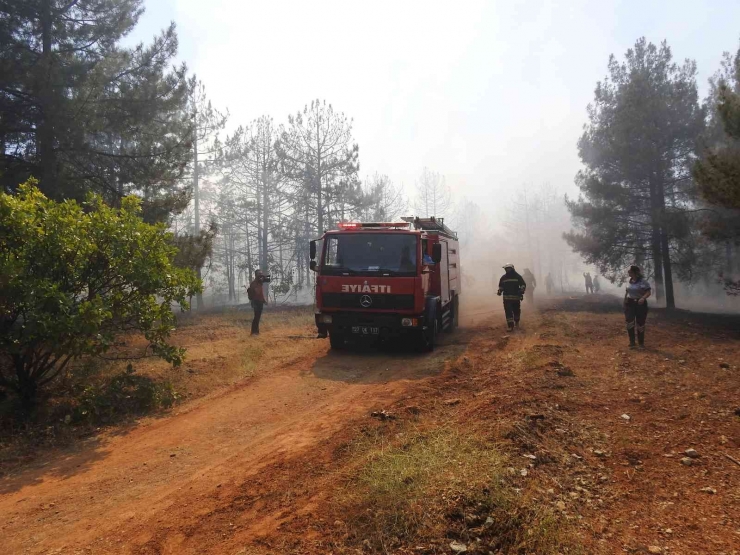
(47, 154)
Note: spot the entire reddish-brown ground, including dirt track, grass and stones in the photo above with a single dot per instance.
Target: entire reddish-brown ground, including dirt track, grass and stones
(553, 439)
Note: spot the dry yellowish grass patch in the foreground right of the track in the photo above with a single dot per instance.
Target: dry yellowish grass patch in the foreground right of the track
(436, 487)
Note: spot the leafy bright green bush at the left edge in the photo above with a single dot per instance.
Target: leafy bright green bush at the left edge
(73, 277)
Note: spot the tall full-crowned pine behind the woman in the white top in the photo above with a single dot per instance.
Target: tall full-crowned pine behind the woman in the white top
(637, 193)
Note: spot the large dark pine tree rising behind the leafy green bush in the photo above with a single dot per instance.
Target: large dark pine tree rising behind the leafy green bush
(82, 113)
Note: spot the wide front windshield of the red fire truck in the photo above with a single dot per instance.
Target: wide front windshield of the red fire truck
(370, 254)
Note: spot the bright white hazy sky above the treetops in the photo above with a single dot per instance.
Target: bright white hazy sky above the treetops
(489, 93)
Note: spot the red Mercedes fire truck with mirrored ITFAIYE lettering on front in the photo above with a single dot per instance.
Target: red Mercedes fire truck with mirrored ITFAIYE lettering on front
(385, 280)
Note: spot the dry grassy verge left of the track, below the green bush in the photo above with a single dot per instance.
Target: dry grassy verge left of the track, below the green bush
(102, 393)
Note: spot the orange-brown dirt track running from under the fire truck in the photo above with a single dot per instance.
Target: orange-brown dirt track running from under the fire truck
(118, 492)
